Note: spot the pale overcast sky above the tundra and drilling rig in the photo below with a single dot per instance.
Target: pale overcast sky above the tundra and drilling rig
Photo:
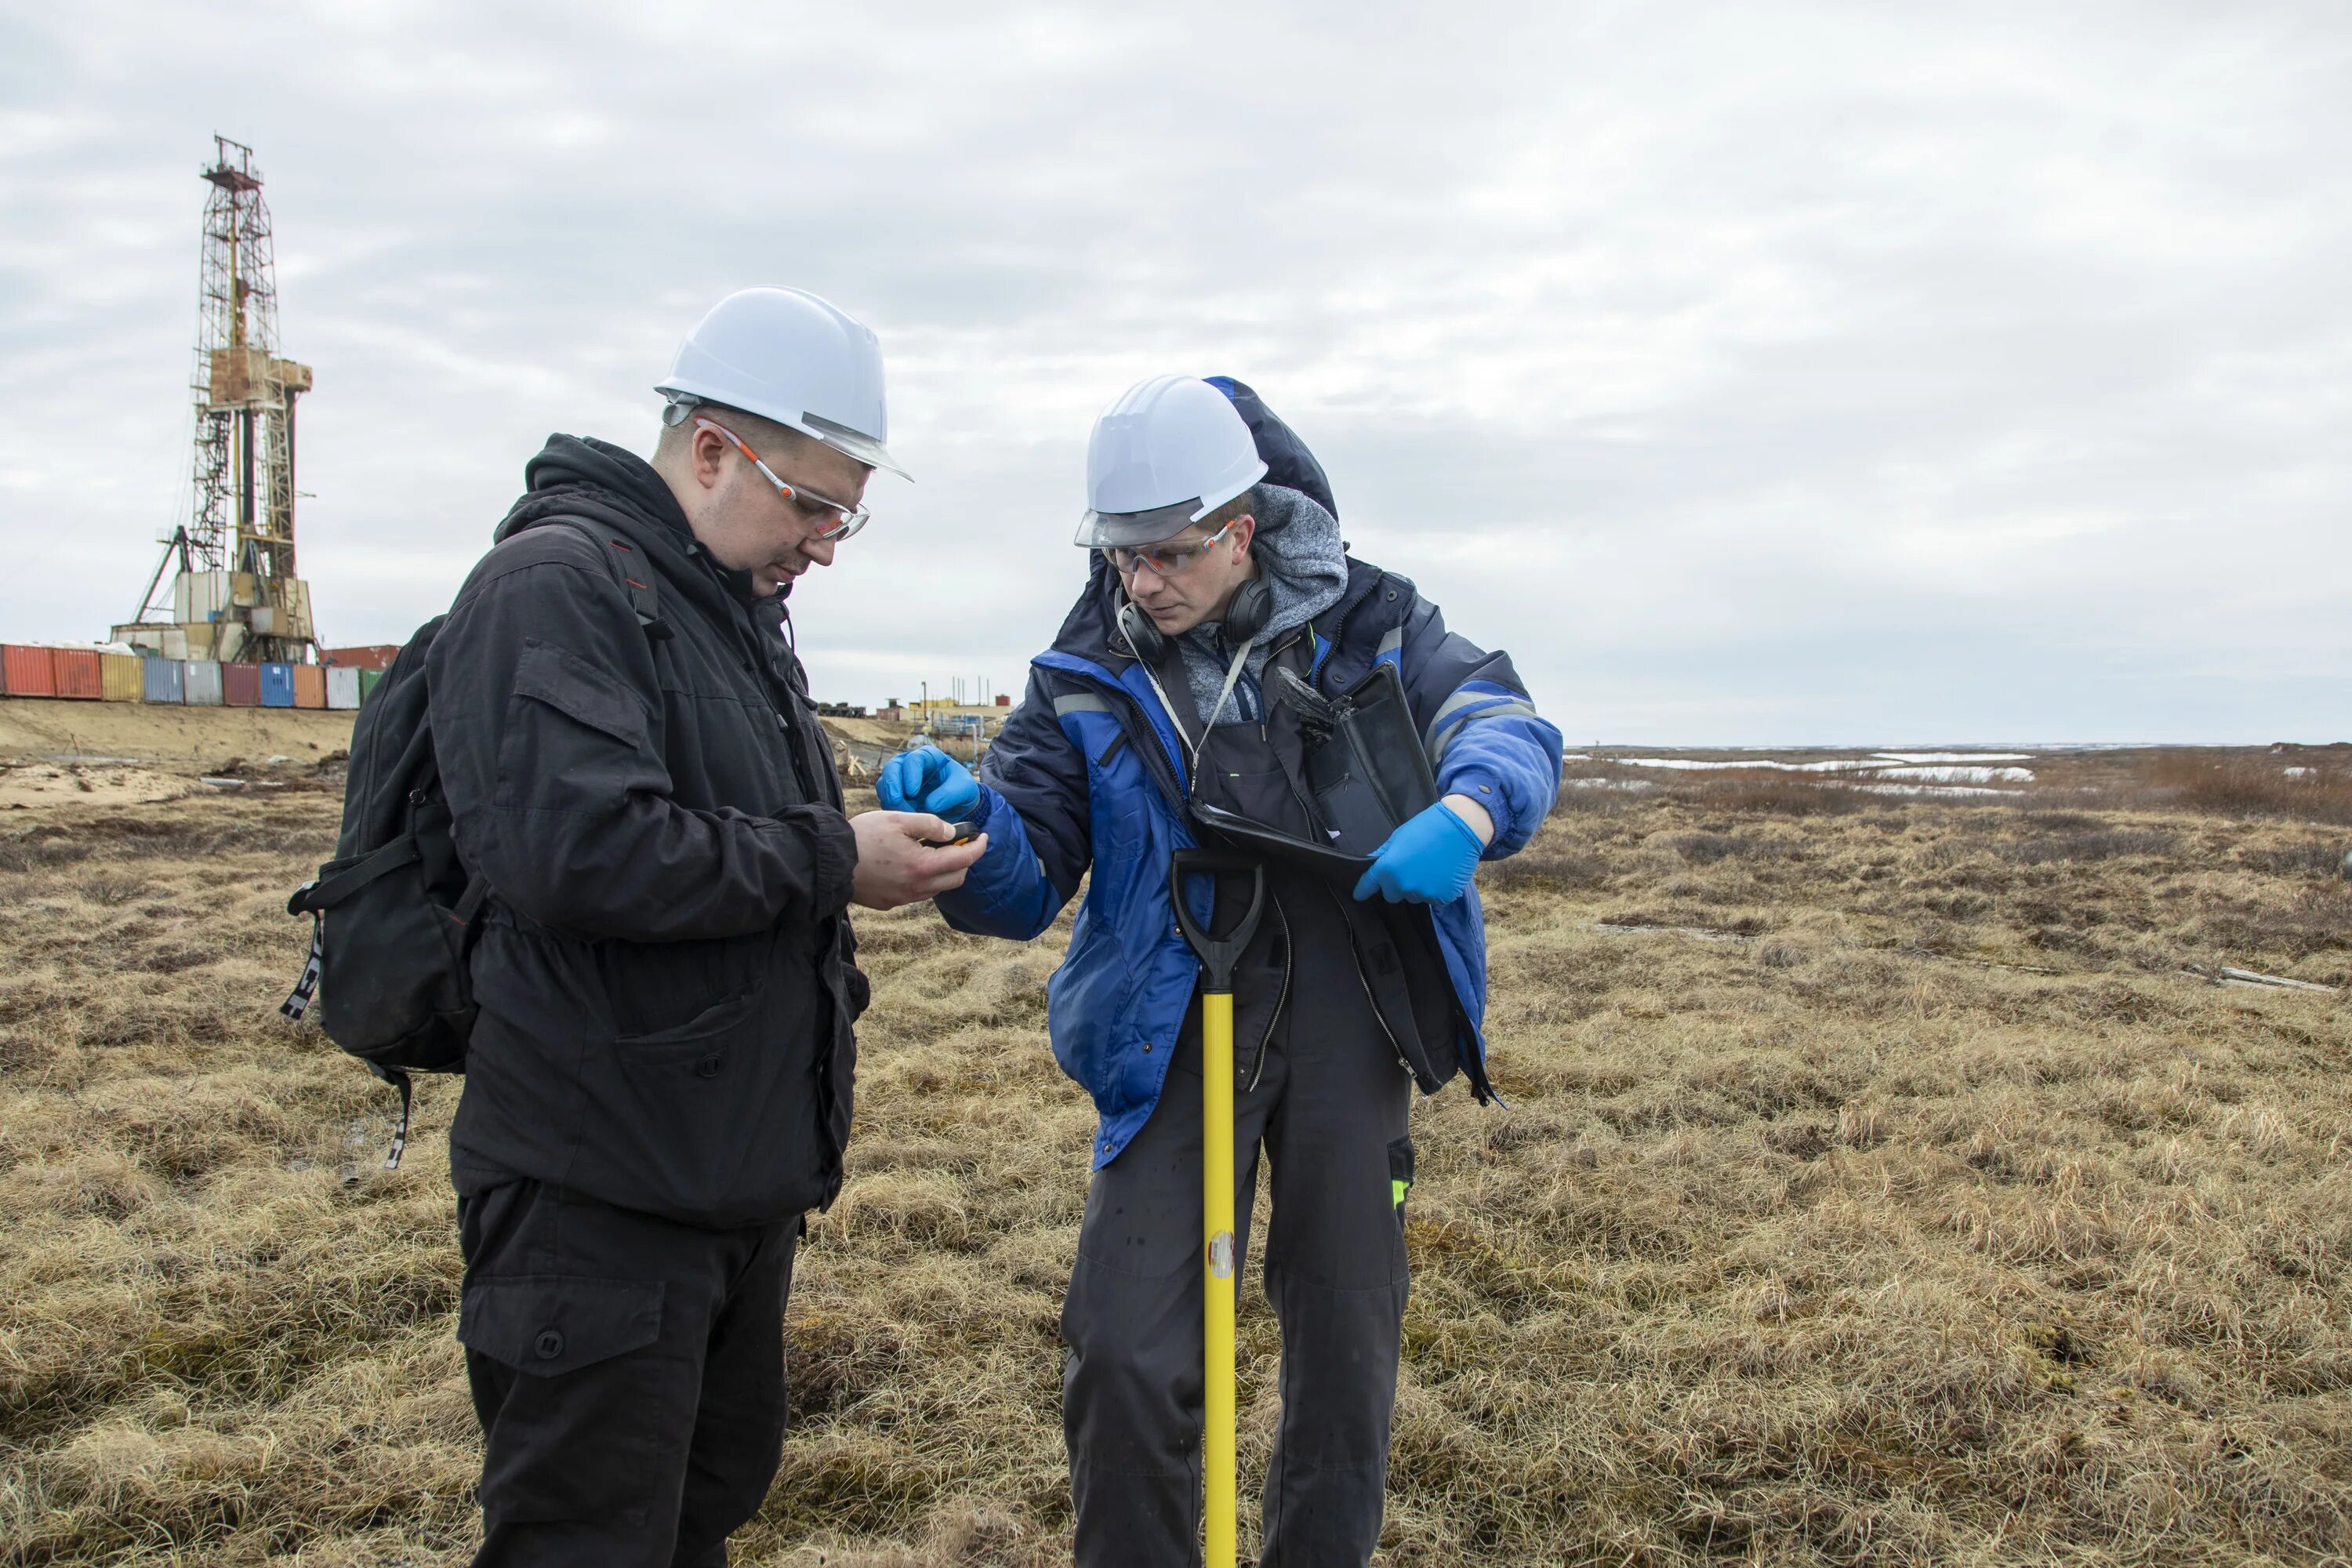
(1751, 373)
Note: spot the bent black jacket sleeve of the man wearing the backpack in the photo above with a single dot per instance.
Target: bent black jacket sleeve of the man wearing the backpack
(547, 728)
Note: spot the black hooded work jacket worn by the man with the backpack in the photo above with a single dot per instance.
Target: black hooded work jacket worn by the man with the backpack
(667, 972)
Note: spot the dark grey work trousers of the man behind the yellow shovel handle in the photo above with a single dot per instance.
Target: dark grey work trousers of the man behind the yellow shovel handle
(1330, 1108)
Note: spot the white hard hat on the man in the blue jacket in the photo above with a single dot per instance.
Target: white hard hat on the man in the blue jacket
(1165, 455)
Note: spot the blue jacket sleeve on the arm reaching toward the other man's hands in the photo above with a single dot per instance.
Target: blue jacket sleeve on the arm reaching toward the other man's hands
(1034, 808)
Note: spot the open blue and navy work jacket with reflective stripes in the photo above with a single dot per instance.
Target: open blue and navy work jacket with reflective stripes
(1090, 772)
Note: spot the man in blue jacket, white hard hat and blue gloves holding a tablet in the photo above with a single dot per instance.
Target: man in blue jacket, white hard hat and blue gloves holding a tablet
(1220, 587)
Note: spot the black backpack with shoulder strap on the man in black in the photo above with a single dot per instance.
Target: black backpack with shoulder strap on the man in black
(389, 972)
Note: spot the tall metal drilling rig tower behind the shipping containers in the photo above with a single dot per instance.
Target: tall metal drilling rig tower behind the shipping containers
(241, 525)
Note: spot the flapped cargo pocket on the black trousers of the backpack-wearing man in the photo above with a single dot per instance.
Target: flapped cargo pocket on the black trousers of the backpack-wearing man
(575, 1438)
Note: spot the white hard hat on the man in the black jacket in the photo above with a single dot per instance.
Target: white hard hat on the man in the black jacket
(794, 359)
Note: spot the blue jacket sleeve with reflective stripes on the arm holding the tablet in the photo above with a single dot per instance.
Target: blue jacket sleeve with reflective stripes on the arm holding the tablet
(1483, 732)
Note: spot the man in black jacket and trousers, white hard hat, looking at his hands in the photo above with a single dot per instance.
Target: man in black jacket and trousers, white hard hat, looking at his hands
(660, 1078)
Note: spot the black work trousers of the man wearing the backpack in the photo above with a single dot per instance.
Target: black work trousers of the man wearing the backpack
(629, 1379)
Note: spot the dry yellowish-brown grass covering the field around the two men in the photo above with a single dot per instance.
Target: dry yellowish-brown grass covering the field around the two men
(1876, 1188)
